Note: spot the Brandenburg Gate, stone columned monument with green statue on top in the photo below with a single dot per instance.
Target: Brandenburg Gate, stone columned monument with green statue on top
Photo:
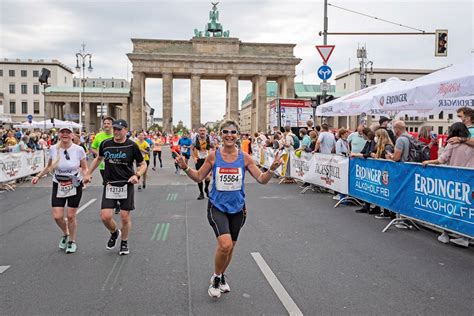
(217, 58)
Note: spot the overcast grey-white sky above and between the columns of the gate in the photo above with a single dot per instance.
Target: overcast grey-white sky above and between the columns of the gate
(55, 29)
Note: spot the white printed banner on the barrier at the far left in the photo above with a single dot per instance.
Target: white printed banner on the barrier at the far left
(18, 165)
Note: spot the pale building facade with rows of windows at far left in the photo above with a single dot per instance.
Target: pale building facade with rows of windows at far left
(22, 92)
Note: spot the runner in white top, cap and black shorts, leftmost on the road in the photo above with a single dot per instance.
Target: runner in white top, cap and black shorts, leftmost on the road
(66, 162)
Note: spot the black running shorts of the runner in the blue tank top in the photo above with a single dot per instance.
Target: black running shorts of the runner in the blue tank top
(225, 223)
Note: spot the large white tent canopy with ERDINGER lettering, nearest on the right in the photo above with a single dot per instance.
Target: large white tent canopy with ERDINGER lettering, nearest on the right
(446, 89)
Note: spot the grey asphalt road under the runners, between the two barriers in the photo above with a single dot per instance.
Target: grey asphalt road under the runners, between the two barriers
(328, 261)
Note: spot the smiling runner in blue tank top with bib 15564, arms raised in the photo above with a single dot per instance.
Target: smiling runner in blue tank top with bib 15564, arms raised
(226, 210)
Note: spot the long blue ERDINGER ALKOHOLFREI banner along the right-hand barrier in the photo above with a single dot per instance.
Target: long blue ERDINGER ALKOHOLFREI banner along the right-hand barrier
(441, 196)
